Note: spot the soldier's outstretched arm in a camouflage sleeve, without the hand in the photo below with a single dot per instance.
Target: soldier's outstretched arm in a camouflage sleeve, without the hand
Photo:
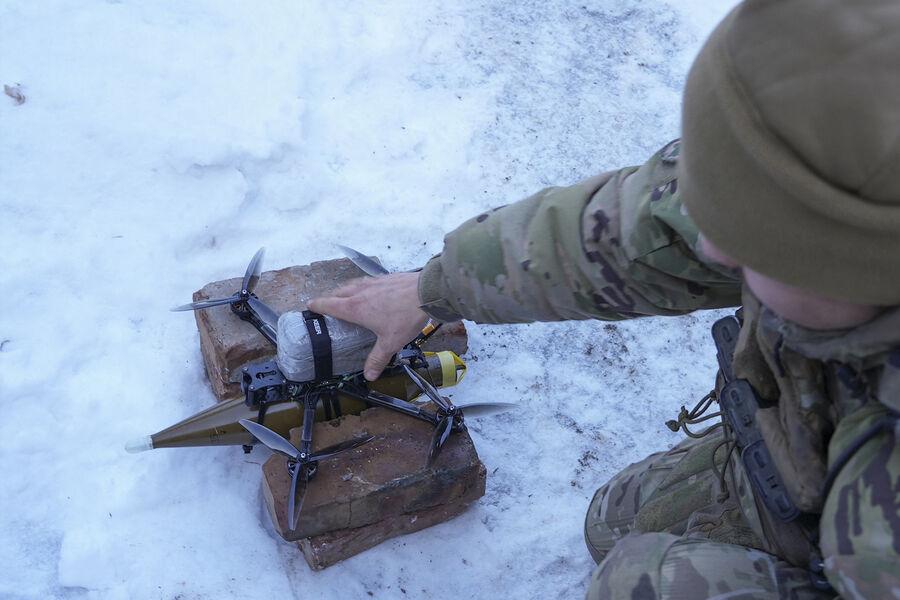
(616, 246)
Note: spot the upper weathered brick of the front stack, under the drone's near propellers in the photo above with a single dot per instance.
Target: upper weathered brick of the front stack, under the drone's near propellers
(382, 482)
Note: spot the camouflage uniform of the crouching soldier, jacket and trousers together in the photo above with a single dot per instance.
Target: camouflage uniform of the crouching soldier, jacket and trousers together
(620, 245)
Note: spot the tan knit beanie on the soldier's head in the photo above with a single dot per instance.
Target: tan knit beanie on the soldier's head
(790, 156)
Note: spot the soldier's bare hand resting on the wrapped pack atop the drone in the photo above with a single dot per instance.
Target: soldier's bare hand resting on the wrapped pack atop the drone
(387, 305)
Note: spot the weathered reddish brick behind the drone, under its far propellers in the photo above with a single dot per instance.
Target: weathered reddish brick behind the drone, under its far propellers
(227, 343)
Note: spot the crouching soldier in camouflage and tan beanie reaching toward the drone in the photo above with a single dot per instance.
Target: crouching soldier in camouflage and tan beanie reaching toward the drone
(782, 196)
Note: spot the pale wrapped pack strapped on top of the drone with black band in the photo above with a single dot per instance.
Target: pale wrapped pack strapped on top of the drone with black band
(350, 345)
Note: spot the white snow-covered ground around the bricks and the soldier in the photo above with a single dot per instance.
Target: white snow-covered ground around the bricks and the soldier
(161, 143)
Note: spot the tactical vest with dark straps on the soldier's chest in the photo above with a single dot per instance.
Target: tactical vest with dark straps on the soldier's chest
(807, 384)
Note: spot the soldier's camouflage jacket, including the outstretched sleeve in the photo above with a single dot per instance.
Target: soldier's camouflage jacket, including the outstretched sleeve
(621, 245)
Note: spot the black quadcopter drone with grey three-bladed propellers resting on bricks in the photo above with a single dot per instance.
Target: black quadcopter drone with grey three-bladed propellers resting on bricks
(265, 384)
